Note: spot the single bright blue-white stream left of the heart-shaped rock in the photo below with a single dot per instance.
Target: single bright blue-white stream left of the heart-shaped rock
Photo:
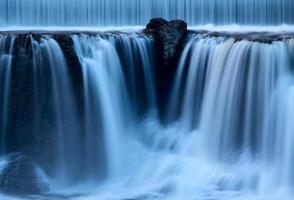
(105, 96)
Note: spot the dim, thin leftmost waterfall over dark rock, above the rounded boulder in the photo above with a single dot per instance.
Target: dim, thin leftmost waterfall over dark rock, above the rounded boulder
(49, 110)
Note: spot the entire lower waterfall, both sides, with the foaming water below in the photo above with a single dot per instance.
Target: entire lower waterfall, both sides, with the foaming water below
(228, 131)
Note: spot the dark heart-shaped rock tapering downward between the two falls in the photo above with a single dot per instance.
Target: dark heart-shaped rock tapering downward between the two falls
(170, 40)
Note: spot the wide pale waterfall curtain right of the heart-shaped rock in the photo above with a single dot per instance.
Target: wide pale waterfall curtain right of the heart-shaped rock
(235, 101)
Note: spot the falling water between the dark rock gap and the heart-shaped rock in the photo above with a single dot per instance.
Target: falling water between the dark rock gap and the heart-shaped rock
(109, 96)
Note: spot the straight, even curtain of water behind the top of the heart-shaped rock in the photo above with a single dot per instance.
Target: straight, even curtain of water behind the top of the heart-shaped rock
(138, 12)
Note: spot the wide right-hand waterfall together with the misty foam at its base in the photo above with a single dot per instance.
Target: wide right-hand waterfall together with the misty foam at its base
(231, 133)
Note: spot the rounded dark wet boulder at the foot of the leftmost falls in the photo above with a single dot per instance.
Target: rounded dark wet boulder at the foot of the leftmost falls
(21, 176)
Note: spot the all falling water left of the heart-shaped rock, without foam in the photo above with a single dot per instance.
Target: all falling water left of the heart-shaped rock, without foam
(42, 116)
